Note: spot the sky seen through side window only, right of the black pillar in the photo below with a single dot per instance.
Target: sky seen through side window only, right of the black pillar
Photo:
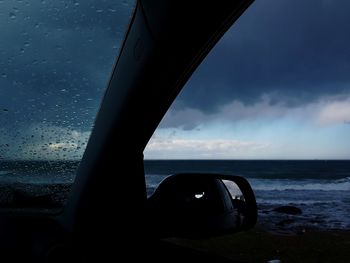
(276, 86)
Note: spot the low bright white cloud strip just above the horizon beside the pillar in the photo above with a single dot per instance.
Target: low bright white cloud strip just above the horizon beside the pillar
(201, 149)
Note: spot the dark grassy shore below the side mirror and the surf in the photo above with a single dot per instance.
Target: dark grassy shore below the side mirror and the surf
(260, 245)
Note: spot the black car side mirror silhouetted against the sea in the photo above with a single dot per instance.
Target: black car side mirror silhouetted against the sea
(201, 205)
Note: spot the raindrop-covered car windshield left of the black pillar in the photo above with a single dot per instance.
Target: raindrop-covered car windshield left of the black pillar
(55, 61)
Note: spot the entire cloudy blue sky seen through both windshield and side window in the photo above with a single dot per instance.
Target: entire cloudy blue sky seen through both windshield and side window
(276, 86)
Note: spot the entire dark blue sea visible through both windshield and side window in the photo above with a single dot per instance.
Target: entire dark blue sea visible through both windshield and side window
(319, 188)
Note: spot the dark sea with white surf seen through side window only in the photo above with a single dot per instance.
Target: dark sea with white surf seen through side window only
(319, 188)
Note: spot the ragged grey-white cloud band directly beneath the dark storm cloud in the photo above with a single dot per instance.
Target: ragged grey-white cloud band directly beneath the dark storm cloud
(328, 110)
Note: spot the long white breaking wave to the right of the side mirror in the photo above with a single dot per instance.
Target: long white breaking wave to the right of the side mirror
(306, 185)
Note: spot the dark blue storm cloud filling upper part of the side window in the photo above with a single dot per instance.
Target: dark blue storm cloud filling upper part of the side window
(294, 51)
